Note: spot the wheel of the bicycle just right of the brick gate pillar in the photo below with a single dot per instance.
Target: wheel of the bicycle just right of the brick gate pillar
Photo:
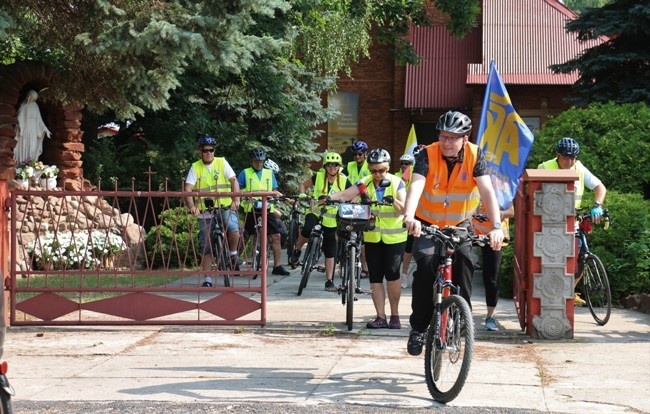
(597, 290)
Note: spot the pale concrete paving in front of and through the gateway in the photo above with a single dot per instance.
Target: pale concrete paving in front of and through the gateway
(306, 357)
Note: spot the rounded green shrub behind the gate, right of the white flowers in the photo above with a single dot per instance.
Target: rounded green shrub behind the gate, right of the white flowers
(168, 244)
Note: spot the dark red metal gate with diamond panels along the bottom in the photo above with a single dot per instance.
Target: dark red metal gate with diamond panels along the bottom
(120, 258)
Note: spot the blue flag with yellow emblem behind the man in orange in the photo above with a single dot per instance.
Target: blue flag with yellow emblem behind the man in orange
(504, 138)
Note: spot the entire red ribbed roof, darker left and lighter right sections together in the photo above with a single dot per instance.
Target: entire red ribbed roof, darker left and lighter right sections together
(523, 37)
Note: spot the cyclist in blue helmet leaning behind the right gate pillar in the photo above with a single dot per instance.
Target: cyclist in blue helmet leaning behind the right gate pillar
(567, 153)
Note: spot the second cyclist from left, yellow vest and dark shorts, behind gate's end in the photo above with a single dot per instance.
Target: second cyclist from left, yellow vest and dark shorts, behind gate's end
(258, 178)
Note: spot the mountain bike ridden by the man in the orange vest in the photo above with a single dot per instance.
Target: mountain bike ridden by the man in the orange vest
(449, 338)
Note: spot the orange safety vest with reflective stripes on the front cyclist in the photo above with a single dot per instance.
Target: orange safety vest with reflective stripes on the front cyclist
(447, 200)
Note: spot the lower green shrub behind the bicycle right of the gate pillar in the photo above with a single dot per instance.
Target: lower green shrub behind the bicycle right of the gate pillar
(624, 248)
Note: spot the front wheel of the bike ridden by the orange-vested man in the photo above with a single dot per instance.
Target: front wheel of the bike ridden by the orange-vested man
(448, 354)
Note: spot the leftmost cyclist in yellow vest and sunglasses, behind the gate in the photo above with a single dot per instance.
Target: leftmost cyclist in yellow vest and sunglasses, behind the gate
(213, 174)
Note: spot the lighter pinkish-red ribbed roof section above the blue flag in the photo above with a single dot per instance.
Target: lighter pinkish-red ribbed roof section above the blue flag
(525, 37)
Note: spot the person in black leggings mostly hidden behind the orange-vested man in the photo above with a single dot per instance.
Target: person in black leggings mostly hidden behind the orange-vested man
(491, 262)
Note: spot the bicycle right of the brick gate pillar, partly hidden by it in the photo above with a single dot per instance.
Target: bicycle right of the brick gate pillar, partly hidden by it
(590, 268)
